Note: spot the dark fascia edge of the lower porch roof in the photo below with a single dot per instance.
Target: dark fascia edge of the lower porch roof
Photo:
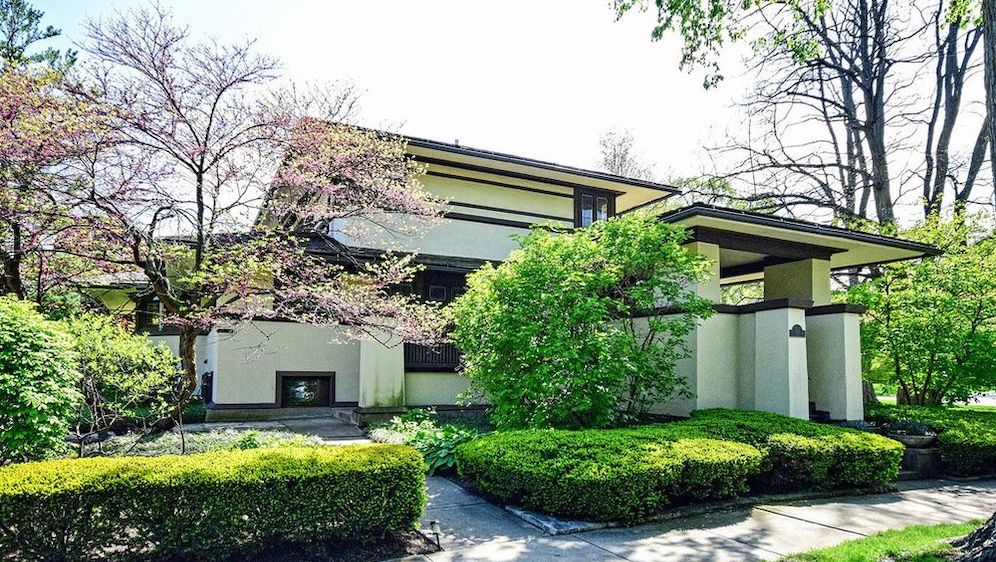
(712, 211)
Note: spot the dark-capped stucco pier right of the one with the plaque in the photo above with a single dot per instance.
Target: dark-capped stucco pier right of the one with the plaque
(834, 345)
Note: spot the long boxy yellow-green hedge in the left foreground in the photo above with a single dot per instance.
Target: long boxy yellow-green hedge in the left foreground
(207, 506)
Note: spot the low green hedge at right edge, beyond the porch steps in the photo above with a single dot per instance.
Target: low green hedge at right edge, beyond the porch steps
(967, 438)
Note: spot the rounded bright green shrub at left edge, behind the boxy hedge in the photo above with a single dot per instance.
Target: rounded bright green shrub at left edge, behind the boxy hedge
(38, 381)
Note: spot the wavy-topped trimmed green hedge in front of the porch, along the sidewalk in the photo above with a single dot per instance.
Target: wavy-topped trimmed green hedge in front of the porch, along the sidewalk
(630, 474)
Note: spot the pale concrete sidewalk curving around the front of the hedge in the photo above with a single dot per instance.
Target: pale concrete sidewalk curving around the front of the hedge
(476, 530)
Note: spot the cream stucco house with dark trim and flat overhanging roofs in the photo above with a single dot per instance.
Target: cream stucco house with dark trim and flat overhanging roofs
(792, 353)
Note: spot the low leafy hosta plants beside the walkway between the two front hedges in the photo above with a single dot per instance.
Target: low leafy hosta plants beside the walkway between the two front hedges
(420, 429)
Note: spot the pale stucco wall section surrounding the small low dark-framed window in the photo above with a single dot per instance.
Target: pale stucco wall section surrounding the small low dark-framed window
(248, 359)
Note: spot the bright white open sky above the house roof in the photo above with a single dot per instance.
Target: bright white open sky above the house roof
(538, 79)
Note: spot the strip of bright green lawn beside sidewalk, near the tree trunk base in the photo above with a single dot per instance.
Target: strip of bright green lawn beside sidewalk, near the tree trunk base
(920, 543)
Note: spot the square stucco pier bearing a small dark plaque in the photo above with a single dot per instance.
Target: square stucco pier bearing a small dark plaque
(781, 382)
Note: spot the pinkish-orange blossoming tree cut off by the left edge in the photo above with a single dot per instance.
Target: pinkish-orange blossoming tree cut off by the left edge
(41, 130)
